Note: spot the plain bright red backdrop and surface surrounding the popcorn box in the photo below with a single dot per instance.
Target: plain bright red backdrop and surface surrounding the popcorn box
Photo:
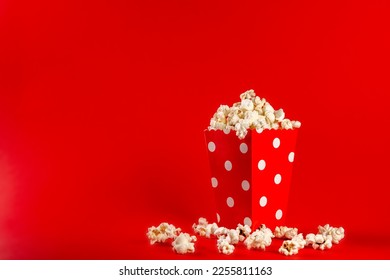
(103, 106)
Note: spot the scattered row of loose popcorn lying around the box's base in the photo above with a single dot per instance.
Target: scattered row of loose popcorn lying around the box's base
(258, 239)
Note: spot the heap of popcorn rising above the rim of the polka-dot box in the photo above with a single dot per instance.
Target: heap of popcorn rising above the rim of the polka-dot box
(252, 112)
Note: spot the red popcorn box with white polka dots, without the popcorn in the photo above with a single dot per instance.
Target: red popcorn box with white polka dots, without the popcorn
(251, 177)
